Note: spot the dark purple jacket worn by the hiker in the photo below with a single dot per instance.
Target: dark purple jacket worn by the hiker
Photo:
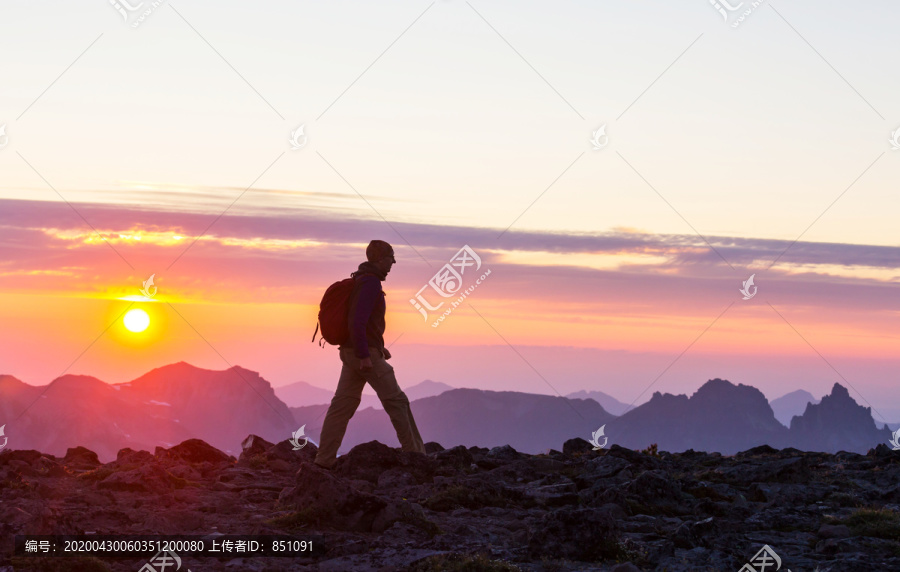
(367, 308)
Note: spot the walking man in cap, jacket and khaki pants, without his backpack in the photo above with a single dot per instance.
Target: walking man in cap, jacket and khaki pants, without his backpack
(364, 359)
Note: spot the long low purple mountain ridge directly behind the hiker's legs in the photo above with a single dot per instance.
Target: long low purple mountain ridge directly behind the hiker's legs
(528, 422)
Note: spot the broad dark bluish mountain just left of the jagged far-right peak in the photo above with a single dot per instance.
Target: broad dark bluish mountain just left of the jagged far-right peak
(720, 416)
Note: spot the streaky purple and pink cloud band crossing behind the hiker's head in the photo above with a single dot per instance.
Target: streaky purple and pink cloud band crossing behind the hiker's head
(302, 248)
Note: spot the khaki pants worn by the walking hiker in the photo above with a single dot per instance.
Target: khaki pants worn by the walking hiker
(348, 396)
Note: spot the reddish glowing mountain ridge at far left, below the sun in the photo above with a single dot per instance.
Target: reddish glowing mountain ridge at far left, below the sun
(161, 408)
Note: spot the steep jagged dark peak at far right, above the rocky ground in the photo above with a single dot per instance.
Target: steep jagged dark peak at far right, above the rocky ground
(837, 423)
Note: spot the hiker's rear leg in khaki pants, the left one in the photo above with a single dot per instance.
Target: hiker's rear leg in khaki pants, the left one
(343, 405)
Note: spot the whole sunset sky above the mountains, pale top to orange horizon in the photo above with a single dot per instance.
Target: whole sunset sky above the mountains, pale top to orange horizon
(163, 147)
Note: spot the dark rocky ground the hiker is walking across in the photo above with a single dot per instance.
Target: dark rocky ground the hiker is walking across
(470, 509)
